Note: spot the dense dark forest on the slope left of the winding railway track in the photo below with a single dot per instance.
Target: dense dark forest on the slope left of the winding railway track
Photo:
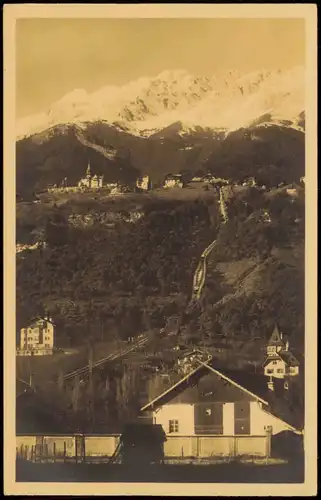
(123, 270)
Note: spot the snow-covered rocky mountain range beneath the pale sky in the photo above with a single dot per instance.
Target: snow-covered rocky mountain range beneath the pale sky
(148, 105)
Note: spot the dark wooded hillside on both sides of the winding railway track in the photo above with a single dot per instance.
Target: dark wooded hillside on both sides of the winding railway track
(115, 281)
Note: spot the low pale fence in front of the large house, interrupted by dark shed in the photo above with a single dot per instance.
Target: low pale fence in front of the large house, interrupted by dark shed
(99, 448)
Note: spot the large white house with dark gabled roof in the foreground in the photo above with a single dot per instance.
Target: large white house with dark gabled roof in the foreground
(210, 401)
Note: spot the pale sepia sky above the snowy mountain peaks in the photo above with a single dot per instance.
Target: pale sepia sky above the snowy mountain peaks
(55, 56)
